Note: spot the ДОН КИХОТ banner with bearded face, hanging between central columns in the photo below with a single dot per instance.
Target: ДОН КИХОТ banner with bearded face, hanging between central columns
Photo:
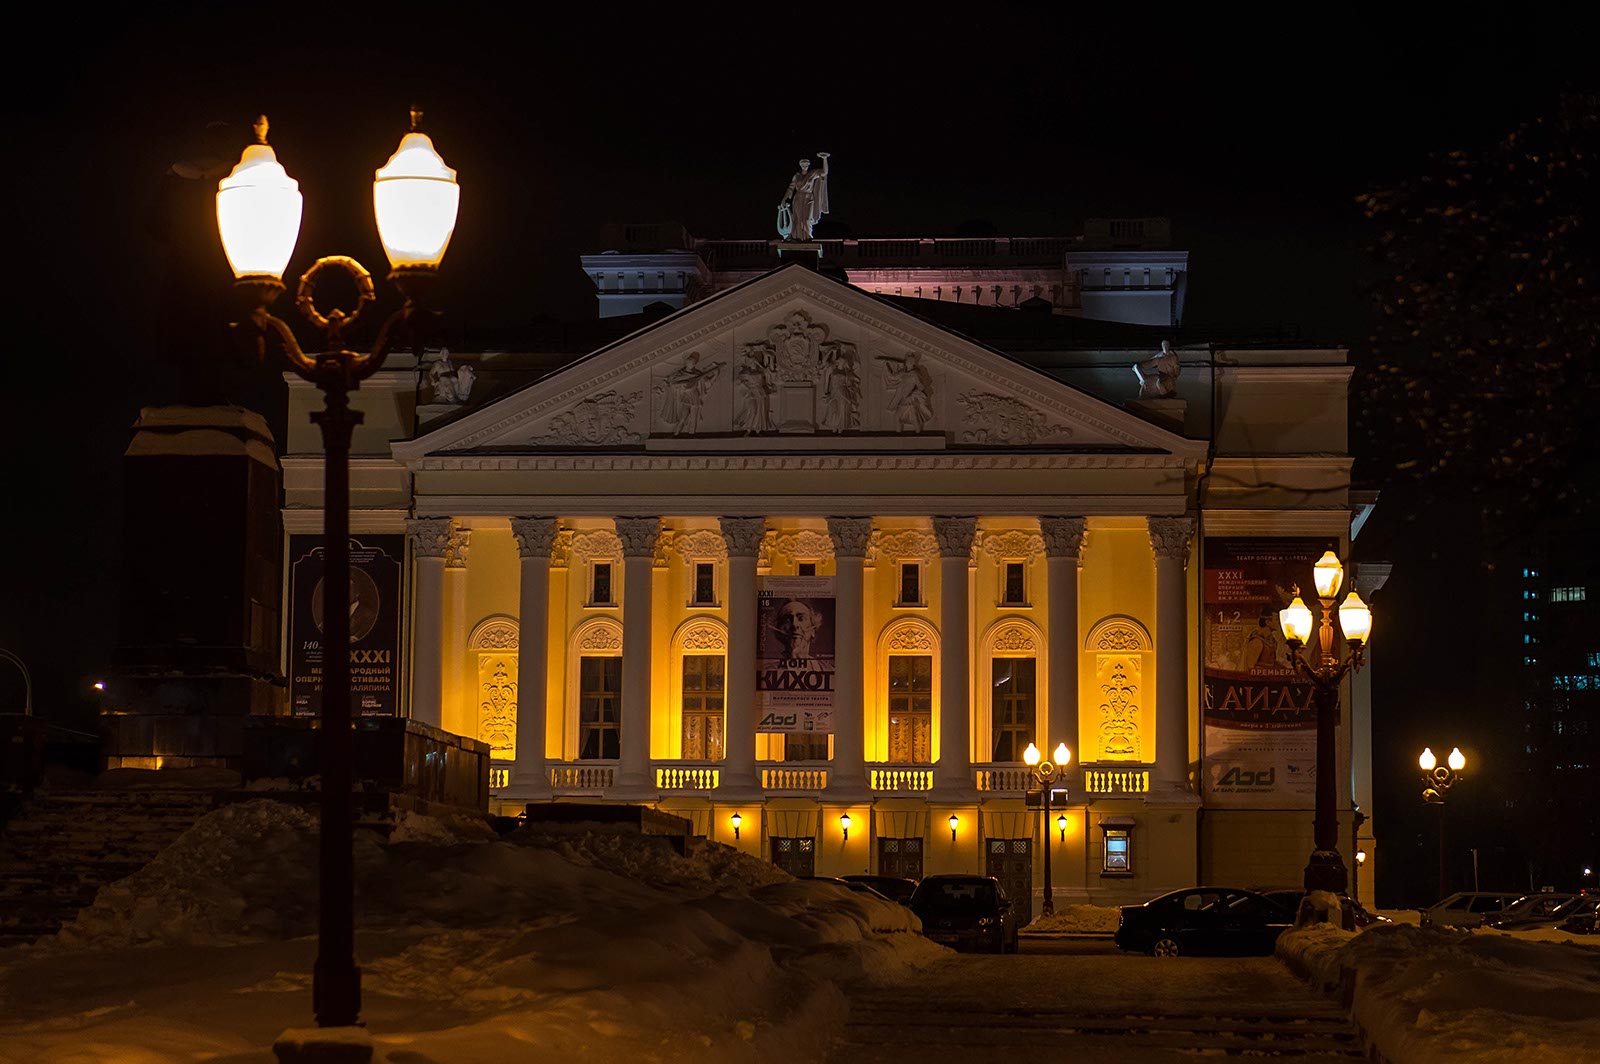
(794, 655)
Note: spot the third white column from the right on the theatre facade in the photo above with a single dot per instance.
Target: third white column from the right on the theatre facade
(954, 770)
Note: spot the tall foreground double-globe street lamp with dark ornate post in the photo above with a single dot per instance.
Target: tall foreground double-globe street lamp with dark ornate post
(258, 214)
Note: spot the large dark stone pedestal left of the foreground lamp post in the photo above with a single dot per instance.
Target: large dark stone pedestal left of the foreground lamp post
(202, 572)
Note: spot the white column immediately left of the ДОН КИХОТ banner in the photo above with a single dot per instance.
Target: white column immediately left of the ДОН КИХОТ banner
(738, 766)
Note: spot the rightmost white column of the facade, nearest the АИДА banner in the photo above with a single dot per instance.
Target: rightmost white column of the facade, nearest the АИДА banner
(1170, 543)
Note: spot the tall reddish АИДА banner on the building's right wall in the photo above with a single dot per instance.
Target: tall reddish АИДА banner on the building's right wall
(1260, 718)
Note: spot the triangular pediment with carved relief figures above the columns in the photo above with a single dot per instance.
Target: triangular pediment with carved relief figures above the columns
(796, 361)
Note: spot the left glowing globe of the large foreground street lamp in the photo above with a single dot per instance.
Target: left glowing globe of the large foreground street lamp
(258, 212)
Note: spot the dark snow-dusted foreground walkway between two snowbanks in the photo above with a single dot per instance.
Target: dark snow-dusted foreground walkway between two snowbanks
(1082, 999)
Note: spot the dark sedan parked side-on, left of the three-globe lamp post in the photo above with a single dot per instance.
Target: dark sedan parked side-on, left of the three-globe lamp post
(1202, 921)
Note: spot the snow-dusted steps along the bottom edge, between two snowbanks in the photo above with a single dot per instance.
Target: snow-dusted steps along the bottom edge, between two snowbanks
(889, 1030)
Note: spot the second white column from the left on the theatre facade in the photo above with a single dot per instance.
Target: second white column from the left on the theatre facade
(535, 537)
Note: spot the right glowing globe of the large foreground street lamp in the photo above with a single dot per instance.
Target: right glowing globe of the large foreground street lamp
(415, 198)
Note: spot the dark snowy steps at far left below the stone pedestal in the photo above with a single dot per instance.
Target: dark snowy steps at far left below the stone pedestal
(66, 846)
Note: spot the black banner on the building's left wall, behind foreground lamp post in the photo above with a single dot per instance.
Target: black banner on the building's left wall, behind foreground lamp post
(375, 625)
